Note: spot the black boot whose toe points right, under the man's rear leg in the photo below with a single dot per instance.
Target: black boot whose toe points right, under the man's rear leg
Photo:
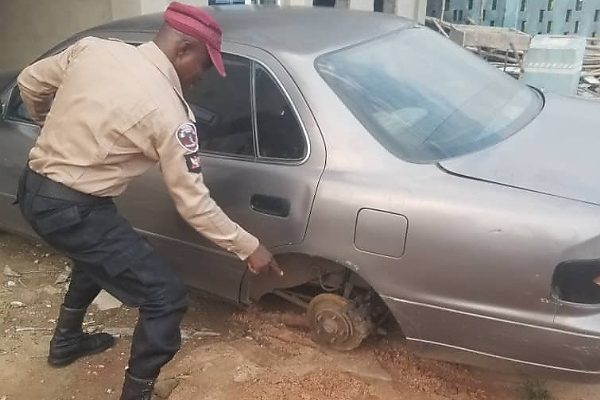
(69, 342)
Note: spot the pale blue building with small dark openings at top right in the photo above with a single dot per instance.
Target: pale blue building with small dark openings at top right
(556, 17)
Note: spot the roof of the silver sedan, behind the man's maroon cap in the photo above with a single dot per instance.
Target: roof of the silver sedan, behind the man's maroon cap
(283, 29)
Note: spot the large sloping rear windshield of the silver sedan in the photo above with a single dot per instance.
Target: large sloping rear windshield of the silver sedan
(425, 98)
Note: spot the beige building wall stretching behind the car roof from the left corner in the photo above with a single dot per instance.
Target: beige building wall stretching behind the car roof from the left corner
(30, 27)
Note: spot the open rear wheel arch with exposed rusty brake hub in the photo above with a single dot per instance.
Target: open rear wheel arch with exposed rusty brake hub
(322, 285)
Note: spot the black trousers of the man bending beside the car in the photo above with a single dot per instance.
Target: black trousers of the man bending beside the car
(109, 254)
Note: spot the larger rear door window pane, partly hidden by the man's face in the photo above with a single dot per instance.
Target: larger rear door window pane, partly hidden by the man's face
(223, 109)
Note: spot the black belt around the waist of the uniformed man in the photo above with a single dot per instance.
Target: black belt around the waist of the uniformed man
(42, 186)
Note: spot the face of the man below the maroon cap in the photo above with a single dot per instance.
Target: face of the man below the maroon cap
(191, 63)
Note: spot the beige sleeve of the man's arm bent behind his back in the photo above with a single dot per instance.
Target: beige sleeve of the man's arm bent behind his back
(39, 82)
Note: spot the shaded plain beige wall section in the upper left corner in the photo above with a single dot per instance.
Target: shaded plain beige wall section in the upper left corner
(30, 27)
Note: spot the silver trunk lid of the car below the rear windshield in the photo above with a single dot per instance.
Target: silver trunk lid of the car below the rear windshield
(554, 154)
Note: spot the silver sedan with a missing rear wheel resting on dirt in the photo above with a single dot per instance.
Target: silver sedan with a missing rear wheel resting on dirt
(393, 173)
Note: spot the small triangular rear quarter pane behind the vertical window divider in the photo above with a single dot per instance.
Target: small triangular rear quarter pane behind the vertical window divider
(279, 134)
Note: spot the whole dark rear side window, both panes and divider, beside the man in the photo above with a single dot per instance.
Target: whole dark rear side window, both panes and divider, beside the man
(246, 114)
